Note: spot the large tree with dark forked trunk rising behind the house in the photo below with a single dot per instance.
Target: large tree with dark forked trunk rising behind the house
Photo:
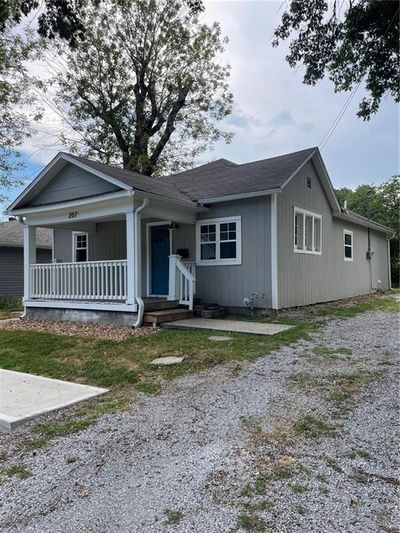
(146, 87)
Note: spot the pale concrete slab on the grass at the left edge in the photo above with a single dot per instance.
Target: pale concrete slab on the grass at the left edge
(25, 396)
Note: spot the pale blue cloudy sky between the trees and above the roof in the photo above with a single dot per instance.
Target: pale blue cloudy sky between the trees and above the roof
(274, 112)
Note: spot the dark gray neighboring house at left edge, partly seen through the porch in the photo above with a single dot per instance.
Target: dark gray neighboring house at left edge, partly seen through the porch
(12, 255)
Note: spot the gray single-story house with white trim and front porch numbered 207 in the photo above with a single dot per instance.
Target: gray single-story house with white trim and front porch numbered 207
(223, 231)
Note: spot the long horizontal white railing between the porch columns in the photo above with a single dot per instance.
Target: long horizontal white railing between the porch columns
(90, 280)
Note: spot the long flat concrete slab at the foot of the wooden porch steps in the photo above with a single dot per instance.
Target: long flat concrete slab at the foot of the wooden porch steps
(234, 326)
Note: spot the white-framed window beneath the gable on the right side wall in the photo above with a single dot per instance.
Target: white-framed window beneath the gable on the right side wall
(307, 232)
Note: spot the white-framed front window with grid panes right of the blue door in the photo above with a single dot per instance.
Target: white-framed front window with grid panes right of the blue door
(218, 241)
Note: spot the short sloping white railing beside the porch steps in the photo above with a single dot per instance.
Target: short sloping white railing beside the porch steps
(182, 281)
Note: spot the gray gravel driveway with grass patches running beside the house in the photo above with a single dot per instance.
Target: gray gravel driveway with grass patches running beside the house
(302, 440)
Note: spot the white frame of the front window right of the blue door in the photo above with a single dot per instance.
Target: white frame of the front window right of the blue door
(218, 261)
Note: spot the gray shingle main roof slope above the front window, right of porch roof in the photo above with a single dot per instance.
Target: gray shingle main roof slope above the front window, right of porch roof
(224, 178)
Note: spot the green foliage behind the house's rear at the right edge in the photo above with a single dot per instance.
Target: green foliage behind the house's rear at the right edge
(382, 204)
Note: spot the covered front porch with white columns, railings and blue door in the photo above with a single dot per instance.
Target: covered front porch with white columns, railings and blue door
(107, 258)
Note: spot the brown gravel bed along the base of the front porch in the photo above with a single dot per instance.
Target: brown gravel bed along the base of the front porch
(74, 329)
